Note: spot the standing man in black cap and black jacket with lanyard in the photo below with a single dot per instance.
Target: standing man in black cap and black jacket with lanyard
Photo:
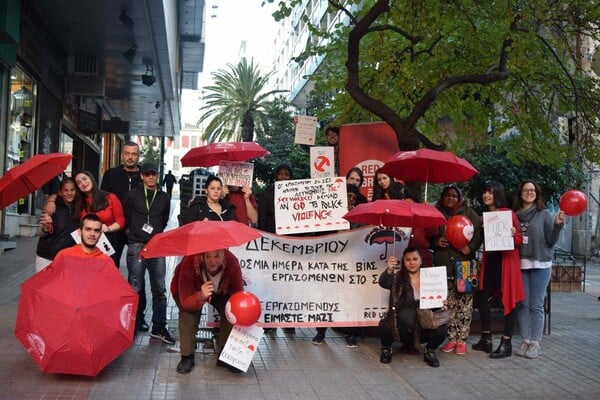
(147, 211)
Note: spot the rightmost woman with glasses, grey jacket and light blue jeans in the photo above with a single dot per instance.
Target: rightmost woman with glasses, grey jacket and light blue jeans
(540, 232)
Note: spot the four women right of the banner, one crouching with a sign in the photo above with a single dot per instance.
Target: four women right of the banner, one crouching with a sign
(519, 277)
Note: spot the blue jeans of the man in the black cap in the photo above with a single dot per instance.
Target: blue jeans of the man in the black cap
(157, 268)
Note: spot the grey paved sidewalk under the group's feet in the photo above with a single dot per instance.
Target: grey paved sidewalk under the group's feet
(290, 367)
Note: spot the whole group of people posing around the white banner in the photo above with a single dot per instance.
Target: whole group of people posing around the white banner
(130, 208)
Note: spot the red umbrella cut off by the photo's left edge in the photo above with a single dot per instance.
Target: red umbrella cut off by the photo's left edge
(34, 173)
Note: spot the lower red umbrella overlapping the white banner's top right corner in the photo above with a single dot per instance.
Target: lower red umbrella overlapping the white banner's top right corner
(396, 213)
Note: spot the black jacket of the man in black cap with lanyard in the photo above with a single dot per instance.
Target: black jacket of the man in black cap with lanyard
(137, 213)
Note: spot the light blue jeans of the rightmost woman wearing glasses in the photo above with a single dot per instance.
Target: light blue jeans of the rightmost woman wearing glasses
(531, 310)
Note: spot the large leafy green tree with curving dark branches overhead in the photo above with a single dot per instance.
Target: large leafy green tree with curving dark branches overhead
(480, 66)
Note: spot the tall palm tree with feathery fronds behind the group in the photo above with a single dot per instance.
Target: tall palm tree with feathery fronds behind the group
(235, 104)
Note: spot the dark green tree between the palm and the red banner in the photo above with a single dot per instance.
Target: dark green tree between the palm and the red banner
(277, 136)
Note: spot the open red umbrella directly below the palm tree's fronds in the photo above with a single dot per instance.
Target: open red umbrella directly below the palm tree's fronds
(212, 154)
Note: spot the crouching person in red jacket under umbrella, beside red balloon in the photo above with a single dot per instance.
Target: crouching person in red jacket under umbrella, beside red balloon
(210, 277)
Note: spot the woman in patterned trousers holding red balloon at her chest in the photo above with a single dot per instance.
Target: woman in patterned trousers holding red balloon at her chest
(451, 203)
